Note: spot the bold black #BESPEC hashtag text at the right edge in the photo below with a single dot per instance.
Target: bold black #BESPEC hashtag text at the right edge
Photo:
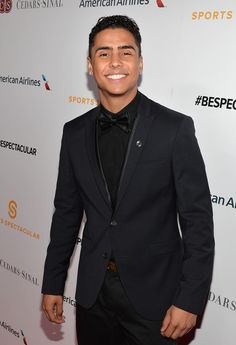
(216, 102)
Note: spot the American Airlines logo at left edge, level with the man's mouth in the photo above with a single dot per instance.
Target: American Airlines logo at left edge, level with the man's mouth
(26, 81)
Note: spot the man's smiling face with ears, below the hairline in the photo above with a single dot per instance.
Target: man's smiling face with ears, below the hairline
(115, 63)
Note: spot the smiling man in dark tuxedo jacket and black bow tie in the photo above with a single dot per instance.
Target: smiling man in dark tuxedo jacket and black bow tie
(135, 168)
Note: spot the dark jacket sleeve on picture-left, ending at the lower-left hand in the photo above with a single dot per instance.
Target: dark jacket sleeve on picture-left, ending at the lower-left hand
(65, 226)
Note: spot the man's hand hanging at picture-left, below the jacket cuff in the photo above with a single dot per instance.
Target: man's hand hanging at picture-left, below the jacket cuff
(52, 306)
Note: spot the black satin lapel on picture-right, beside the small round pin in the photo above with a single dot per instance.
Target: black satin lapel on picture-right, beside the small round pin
(135, 147)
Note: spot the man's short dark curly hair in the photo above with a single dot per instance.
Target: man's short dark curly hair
(115, 22)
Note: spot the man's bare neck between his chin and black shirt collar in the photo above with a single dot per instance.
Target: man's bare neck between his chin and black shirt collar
(115, 103)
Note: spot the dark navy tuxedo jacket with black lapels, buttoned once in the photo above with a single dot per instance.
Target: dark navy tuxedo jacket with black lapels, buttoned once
(161, 231)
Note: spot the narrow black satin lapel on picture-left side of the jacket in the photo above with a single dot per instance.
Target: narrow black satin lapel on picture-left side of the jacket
(92, 154)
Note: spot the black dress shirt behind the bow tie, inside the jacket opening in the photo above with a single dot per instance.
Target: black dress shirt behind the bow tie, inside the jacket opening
(112, 146)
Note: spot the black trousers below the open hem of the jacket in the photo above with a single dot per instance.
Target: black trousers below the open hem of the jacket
(113, 321)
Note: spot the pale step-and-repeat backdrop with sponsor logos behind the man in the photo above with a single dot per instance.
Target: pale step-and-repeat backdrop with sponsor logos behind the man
(189, 65)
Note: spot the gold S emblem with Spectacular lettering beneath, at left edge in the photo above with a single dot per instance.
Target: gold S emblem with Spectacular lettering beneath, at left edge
(10, 225)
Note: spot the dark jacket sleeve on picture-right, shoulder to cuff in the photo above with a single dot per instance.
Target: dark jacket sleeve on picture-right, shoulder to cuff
(195, 219)
